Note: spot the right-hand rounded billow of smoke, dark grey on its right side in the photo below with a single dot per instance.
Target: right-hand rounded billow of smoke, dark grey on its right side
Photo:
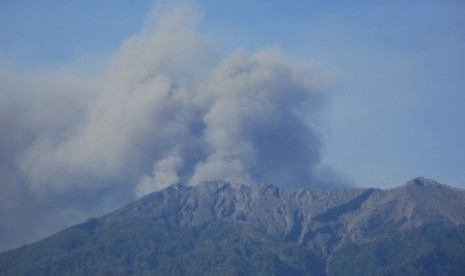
(241, 123)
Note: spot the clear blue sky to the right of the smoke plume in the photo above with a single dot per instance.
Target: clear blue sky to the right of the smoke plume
(398, 110)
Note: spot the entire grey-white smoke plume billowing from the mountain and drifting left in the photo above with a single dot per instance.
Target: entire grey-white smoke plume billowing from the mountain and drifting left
(169, 109)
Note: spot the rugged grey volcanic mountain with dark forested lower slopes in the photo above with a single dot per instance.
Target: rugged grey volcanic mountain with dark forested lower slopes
(221, 228)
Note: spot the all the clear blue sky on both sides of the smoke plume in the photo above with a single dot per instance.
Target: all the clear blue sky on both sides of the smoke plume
(396, 113)
